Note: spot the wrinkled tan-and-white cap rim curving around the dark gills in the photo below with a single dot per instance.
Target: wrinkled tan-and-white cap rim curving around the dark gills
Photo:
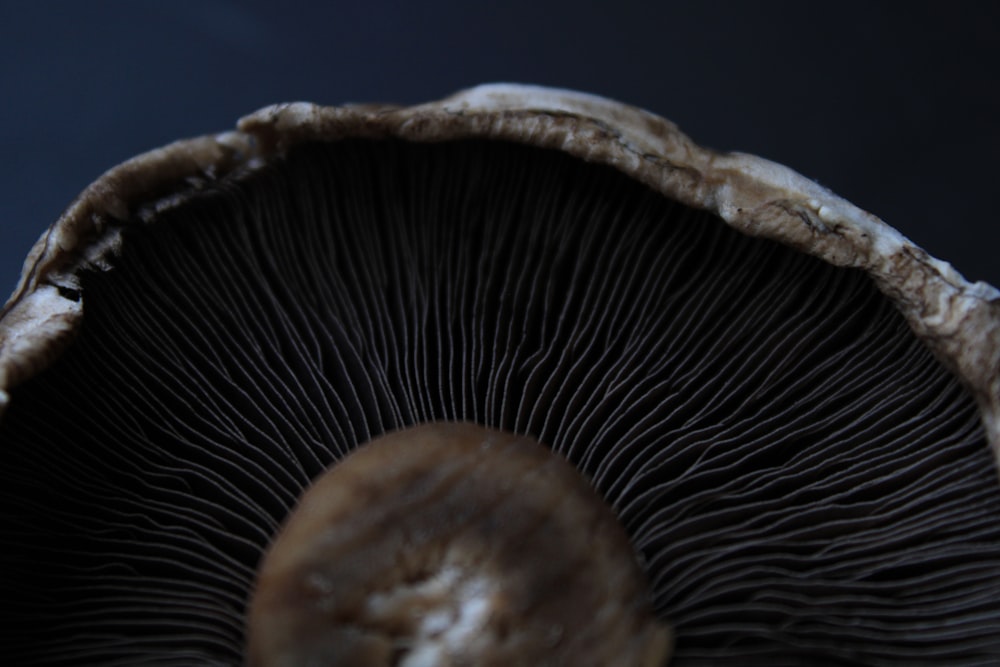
(958, 320)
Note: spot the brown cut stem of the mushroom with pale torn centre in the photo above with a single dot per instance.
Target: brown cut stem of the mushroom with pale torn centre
(453, 544)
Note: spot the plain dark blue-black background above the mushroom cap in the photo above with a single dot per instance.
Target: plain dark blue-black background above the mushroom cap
(894, 106)
